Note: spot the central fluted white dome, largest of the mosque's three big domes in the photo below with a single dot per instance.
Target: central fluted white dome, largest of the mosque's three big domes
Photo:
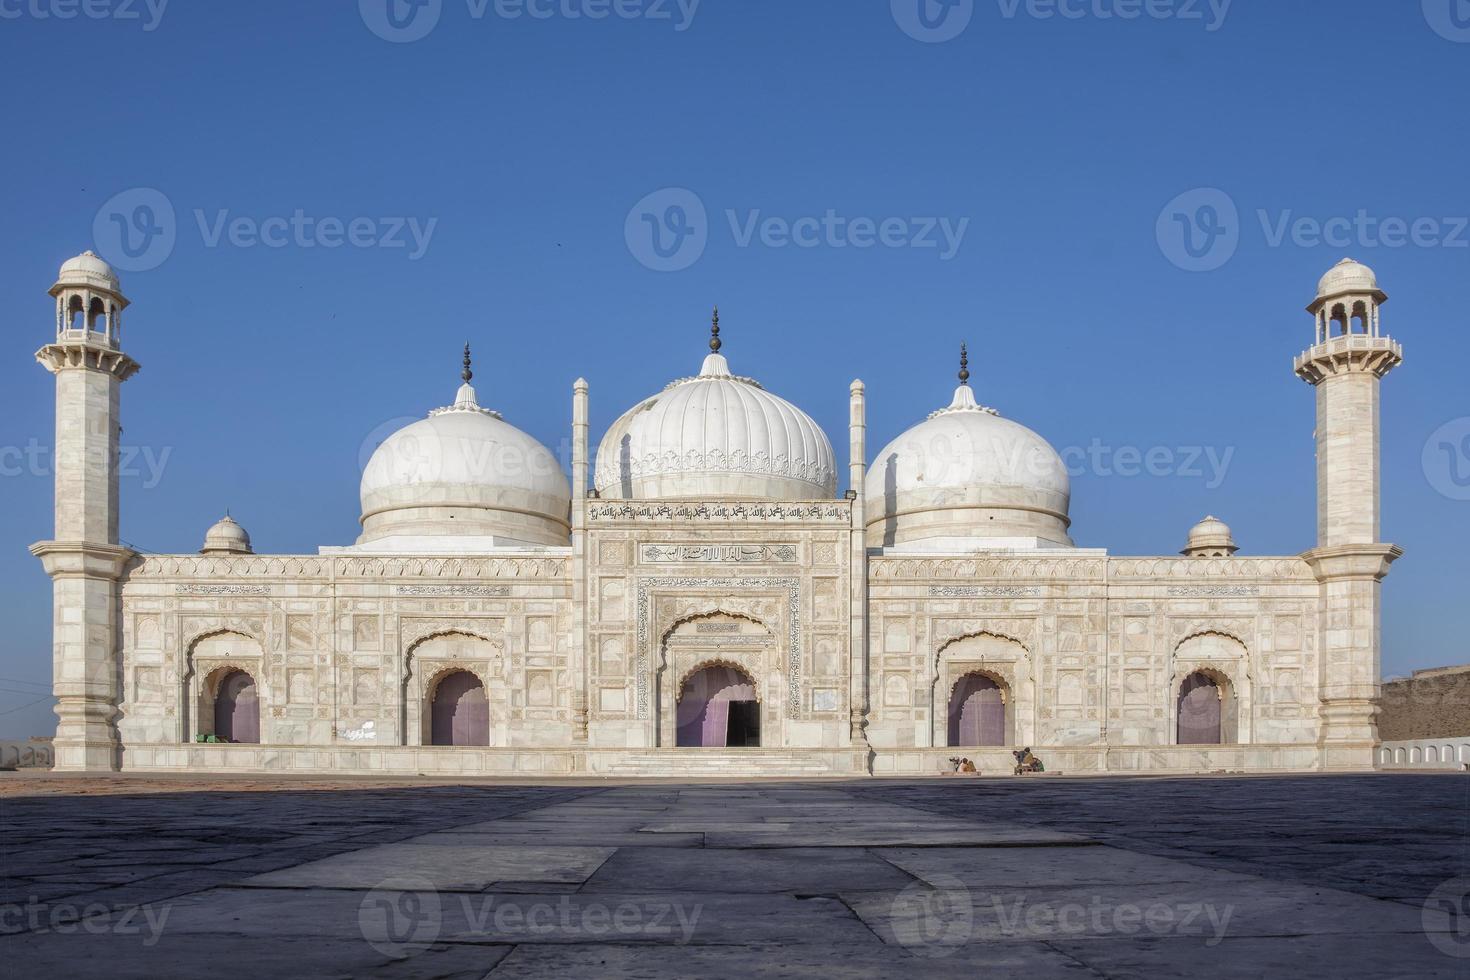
(717, 437)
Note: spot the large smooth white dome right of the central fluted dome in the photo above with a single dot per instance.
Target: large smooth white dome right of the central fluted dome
(967, 478)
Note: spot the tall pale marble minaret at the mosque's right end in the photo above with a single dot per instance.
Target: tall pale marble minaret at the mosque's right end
(1346, 364)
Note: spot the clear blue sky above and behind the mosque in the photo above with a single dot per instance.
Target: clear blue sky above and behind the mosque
(531, 140)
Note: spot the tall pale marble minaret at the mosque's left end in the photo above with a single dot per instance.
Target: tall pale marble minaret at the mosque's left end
(85, 559)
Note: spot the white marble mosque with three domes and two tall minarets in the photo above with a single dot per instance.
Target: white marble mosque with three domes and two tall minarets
(715, 596)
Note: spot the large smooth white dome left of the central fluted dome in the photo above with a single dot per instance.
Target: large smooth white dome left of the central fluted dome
(464, 474)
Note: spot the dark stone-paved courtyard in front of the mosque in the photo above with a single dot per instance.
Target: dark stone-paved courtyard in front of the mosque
(1349, 876)
